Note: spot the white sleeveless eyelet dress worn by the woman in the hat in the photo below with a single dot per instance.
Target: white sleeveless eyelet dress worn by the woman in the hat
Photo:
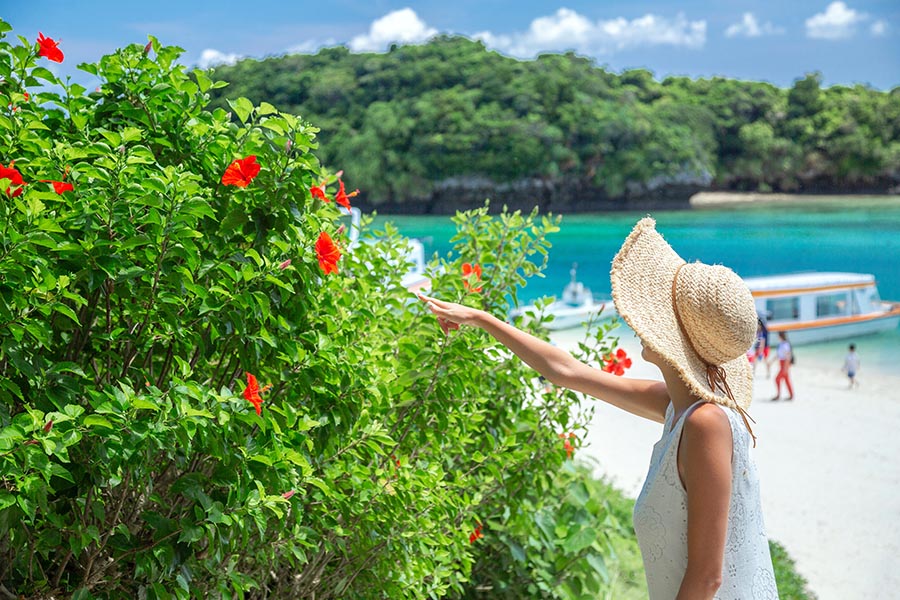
(660, 521)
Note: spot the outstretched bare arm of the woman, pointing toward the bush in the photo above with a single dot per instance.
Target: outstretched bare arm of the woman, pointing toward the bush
(641, 397)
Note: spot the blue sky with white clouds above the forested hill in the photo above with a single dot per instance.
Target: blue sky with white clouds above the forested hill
(851, 41)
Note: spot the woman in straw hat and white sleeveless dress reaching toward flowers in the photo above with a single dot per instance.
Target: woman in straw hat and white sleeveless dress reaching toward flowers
(698, 518)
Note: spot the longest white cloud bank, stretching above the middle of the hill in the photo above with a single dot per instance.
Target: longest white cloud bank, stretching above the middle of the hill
(568, 30)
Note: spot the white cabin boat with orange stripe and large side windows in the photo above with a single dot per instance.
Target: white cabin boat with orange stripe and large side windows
(816, 307)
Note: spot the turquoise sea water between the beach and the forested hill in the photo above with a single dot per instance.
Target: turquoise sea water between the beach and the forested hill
(839, 234)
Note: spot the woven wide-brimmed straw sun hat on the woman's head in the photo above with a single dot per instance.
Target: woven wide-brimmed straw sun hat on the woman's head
(699, 318)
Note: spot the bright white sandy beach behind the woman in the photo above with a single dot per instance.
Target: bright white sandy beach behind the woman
(828, 469)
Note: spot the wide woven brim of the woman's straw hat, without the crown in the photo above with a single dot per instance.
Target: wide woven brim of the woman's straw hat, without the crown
(642, 275)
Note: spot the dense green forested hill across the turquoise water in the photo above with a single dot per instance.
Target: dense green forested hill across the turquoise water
(442, 126)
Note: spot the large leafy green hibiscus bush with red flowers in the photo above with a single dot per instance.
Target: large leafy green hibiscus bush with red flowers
(207, 389)
